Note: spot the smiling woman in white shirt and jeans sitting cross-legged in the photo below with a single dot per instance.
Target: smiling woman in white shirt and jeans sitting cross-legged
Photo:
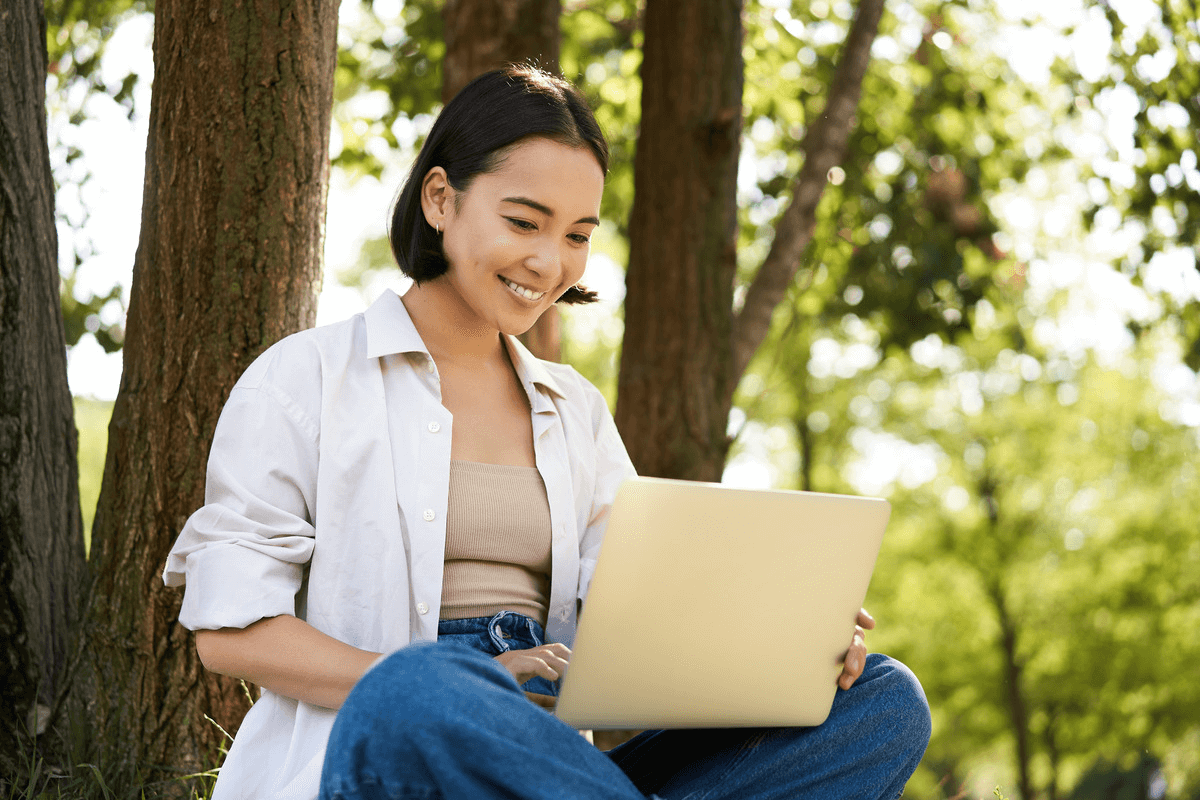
(413, 476)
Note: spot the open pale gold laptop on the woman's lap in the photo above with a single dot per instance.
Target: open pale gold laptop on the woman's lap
(716, 606)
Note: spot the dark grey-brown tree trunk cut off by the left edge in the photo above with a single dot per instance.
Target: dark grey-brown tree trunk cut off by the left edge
(41, 542)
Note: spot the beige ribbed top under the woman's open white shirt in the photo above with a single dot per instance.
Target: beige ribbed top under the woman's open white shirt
(499, 543)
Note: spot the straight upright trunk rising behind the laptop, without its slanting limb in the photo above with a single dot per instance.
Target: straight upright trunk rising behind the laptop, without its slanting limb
(677, 366)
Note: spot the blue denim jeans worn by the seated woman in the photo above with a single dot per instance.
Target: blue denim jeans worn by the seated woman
(447, 721)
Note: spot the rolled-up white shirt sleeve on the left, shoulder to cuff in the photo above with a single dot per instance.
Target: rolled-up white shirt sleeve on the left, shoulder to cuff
(242, 556)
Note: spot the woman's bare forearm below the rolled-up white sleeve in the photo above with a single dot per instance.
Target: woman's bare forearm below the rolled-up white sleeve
(287, 657)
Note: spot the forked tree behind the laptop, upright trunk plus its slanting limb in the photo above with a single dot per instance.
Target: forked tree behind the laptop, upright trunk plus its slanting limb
(685, 351)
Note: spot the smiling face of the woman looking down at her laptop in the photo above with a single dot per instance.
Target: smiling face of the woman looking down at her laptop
(519, 237)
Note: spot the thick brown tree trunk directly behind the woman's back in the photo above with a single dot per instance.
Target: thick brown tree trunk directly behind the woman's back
(229, 263)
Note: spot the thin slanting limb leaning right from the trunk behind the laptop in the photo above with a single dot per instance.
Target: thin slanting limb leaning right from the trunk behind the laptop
(824, 147)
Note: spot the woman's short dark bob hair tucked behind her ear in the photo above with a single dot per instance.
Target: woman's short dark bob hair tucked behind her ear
(471, 137)
